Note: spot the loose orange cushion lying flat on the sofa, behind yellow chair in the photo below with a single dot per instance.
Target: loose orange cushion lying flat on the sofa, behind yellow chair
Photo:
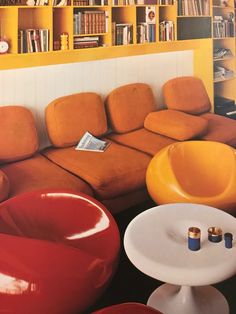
(176, 124)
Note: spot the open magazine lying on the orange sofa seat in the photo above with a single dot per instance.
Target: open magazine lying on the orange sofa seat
(91, 143)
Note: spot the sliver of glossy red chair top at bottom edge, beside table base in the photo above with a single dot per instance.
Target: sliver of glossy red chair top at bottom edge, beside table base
(128, 308)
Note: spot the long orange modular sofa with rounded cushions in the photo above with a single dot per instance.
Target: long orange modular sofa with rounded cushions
(128, 119)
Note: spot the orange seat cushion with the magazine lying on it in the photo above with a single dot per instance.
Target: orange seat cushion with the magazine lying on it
(119, 170)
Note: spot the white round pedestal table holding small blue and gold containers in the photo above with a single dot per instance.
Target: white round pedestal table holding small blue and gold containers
(156, 242)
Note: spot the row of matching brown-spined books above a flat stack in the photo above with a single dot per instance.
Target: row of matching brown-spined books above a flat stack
(90, 22)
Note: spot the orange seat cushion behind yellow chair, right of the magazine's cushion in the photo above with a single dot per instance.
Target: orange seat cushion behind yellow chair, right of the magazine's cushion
(142, 140)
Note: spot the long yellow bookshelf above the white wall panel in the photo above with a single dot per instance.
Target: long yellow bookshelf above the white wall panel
(83, 30)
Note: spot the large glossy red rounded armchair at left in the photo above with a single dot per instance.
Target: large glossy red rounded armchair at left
(59, 251)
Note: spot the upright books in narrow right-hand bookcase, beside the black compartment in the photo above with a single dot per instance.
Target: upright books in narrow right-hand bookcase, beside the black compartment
(223, 27)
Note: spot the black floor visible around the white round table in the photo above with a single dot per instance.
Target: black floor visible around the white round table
(130, 285)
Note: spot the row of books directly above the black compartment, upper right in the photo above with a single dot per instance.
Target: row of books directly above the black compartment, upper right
(193, 7)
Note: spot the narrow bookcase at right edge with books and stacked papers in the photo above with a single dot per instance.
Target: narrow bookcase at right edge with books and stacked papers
(223, 19)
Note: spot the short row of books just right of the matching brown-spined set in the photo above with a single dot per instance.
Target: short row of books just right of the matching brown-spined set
(122, 33)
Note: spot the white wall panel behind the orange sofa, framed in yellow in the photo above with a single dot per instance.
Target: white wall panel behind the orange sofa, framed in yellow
(36, 87)
